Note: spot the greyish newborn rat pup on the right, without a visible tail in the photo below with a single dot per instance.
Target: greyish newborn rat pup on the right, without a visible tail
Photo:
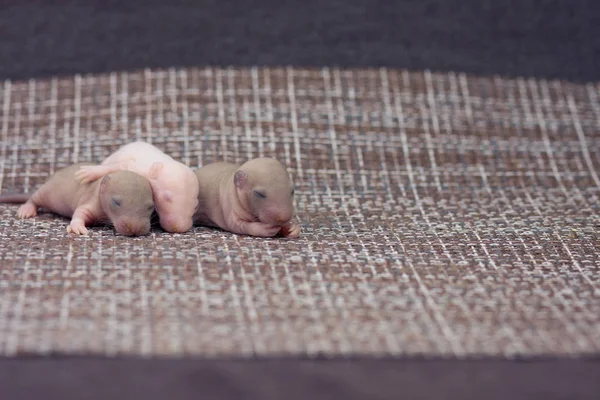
(255, 198)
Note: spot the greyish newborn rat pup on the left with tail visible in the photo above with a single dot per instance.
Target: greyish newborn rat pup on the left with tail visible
(122, 198)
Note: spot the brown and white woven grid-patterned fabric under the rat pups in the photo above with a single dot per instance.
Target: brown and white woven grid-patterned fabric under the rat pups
(442, 214)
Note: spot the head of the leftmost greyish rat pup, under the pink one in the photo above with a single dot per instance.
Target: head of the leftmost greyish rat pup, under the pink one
(126, 198)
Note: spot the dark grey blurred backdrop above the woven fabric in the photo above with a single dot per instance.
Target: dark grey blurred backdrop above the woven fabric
(551, 38)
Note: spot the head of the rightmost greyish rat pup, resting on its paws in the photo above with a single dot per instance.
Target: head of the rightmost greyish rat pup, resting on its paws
(265, 189)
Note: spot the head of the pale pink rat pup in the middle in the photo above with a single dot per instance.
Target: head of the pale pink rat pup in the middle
(175, 194)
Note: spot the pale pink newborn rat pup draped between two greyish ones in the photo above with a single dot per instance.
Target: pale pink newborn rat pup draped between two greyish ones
(174, 185)
